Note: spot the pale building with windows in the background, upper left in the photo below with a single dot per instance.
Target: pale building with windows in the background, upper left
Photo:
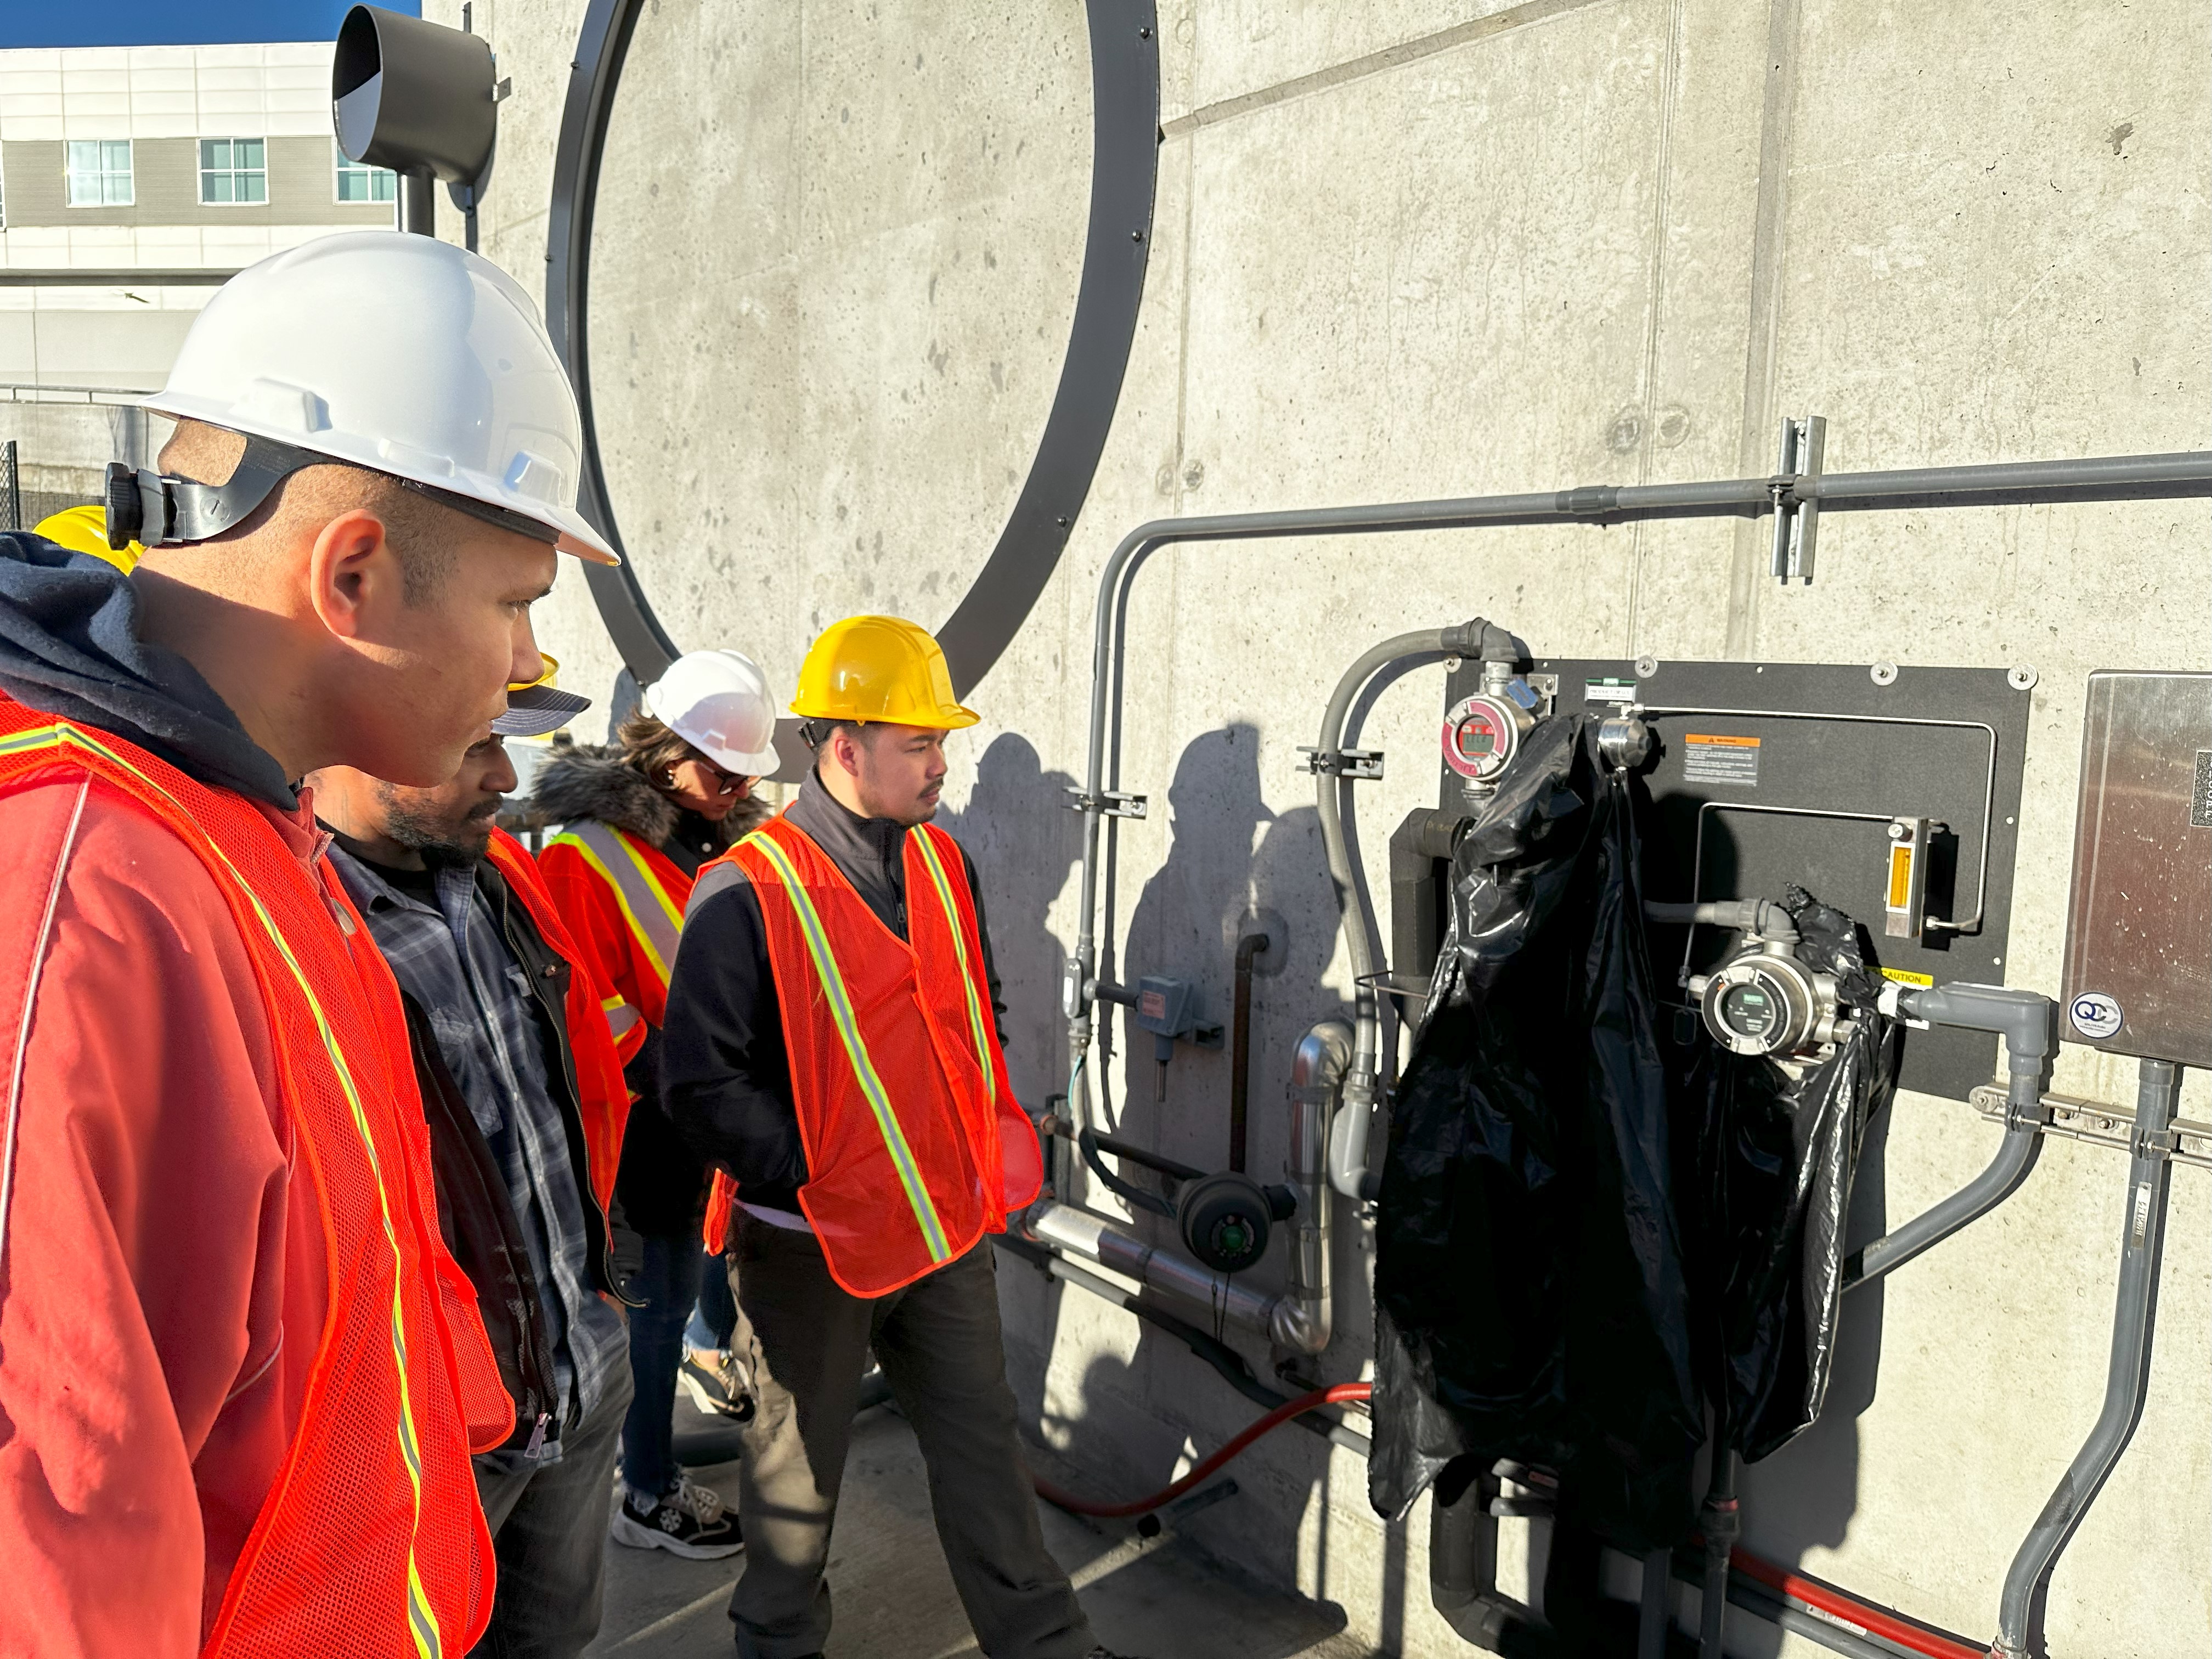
(132, 182)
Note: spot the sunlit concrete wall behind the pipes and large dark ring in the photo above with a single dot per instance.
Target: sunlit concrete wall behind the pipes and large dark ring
(1421, 249)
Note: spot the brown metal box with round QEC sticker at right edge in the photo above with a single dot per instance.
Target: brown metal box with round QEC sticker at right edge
(2140, 917)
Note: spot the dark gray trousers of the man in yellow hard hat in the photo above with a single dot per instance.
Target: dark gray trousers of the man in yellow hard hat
(939, 1348)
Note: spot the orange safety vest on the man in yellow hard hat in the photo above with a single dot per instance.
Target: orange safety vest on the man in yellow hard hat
(915, 1140)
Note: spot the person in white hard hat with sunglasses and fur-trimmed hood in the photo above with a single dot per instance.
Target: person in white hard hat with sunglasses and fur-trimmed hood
(638, 820)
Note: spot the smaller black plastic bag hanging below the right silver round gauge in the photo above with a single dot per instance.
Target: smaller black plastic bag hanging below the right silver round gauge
(1773, 1158)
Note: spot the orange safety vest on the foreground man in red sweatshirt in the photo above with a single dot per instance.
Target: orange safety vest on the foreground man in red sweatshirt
(371, 1538)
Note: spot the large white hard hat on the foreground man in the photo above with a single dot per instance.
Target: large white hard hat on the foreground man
(404, 355)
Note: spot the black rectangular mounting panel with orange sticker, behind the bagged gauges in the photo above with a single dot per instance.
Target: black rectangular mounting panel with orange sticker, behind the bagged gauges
(1888, 793)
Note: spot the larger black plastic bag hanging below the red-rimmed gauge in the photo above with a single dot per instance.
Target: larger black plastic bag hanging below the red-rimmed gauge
(1530, 1273)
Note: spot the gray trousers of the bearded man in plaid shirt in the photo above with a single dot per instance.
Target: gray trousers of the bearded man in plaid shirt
(550, 1536)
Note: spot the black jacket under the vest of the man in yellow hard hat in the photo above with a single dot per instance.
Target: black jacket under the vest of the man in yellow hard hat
(727, 1076)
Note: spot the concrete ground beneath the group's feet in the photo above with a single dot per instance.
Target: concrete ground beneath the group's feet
(1156, 1598)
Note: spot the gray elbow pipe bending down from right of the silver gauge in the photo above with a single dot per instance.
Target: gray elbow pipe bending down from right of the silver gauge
(2030, 1030)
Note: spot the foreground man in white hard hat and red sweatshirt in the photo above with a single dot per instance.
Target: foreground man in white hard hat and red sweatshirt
(240, 1373)
